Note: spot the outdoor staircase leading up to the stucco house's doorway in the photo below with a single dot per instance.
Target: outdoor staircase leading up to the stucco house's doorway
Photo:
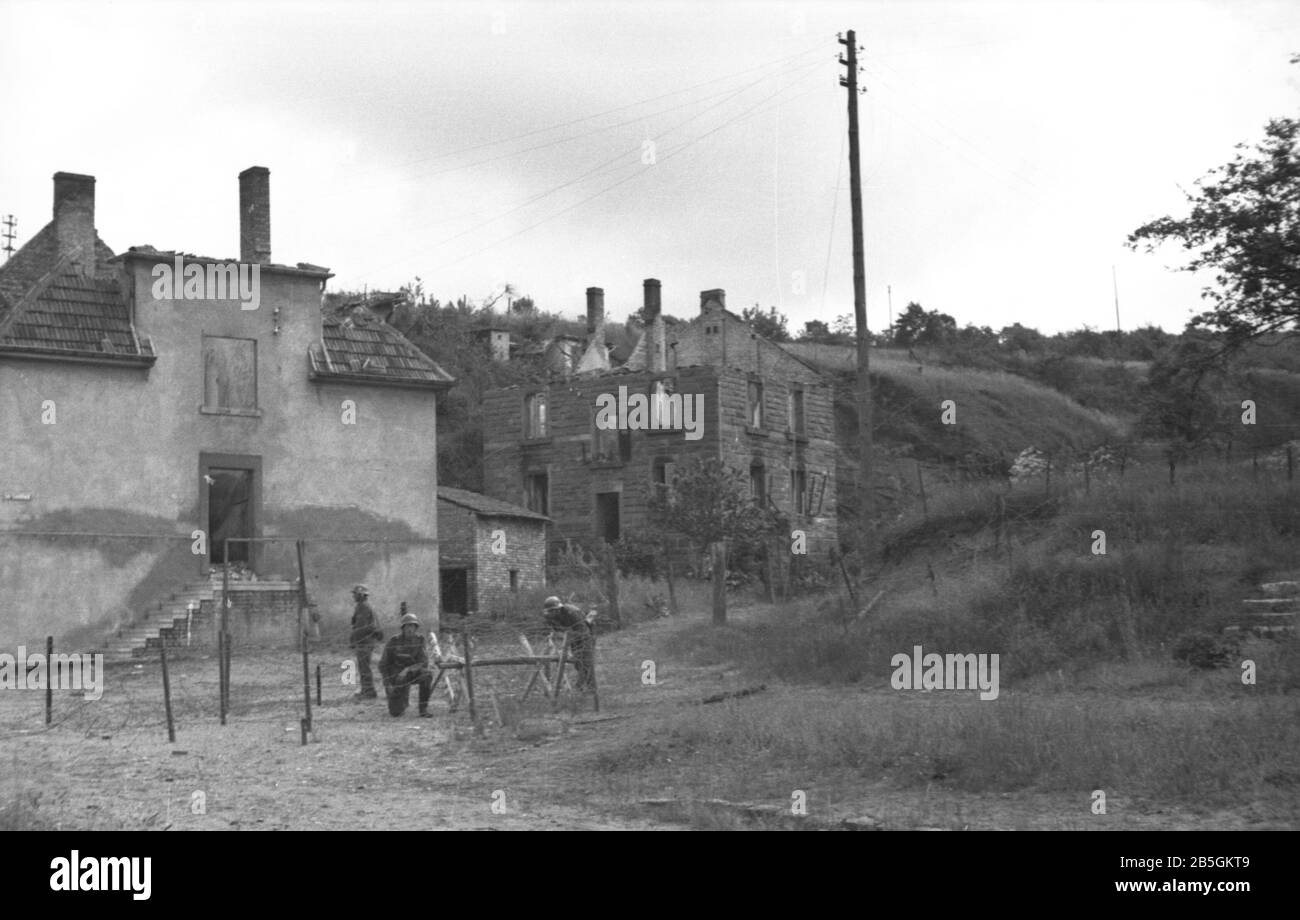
(187, 619)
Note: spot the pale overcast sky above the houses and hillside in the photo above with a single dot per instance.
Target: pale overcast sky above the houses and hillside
(1008, 149)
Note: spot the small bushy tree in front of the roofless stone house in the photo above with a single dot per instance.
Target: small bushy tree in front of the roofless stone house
(710, 504)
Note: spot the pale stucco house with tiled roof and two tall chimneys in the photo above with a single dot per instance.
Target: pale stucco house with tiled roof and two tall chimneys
(158, 409)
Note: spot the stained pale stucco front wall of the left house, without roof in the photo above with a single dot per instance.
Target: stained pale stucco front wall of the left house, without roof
(123, 458)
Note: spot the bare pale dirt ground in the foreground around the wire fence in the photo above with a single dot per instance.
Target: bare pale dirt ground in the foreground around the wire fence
(109, 765)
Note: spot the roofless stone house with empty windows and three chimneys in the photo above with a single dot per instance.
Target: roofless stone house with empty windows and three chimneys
(765, 413)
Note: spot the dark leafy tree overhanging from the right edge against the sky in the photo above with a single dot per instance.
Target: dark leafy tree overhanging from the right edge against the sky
(1245, 225)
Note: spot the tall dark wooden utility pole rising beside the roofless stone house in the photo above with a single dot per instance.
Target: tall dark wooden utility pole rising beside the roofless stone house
(860, 300)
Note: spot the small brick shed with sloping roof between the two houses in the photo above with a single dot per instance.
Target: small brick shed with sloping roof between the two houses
(489, 550)
